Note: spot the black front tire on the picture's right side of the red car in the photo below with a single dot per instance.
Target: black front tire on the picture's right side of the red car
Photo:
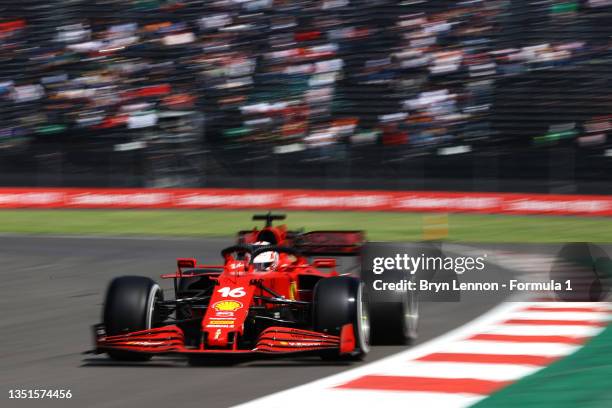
(338, 301)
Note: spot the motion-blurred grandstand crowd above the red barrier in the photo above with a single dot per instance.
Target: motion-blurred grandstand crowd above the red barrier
(500, 95)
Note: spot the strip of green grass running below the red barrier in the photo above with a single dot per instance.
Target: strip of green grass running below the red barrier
(379, 225)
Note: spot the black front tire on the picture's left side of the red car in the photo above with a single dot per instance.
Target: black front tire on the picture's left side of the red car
(130, 306)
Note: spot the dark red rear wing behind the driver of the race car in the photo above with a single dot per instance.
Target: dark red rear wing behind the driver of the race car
(330, 243)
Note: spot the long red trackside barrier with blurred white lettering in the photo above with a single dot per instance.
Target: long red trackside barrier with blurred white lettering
(351, 200)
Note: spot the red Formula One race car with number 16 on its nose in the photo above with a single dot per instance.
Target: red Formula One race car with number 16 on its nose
(263, 300)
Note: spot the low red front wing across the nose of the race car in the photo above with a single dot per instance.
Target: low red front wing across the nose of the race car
(271, 341)
